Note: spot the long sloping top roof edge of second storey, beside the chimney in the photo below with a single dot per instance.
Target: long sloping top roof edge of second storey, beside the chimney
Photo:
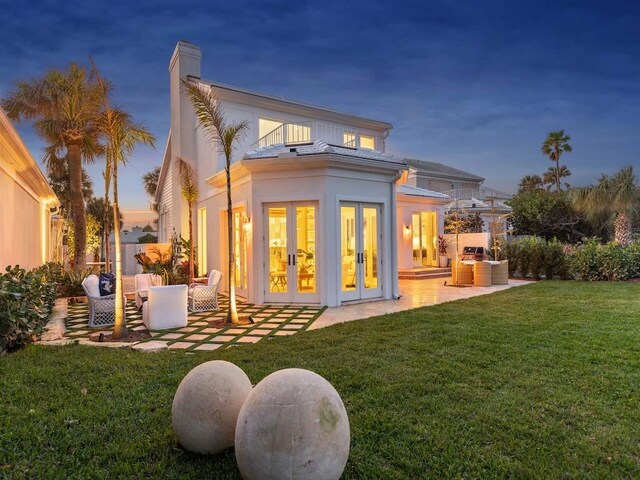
(284, 104)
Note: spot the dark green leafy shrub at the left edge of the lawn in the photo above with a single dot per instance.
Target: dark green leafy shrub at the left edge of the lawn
(26, 301)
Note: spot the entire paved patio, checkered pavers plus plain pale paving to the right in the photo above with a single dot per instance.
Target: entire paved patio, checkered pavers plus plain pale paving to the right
(275, 320)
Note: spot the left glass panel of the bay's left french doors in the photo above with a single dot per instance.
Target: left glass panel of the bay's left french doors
(277, 248)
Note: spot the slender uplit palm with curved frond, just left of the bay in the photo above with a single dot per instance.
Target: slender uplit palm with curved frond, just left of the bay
(211, 119)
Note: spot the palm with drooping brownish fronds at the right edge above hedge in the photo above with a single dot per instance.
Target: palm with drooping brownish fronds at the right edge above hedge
(617, 197)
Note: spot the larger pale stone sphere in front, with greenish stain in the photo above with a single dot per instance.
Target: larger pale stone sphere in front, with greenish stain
(293, 425)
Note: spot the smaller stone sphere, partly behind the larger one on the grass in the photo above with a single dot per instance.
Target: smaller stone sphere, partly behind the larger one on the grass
(206, 406)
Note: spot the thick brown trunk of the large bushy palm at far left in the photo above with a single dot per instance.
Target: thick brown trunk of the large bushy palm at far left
(77, 207)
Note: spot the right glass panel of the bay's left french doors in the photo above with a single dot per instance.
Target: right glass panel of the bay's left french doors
(306, 249)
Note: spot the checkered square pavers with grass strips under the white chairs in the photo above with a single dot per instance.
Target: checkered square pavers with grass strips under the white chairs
(198, 335)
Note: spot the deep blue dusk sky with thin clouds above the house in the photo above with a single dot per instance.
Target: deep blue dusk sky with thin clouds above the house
(476, 85)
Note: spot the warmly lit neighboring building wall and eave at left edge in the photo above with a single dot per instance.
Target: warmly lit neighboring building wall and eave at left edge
(26, 204)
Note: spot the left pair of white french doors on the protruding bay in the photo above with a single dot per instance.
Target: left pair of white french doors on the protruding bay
(291, 269)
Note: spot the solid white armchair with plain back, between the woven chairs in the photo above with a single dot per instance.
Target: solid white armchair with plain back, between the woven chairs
(166, 307)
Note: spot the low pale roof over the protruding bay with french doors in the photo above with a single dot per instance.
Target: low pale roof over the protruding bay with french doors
(317, 148)
